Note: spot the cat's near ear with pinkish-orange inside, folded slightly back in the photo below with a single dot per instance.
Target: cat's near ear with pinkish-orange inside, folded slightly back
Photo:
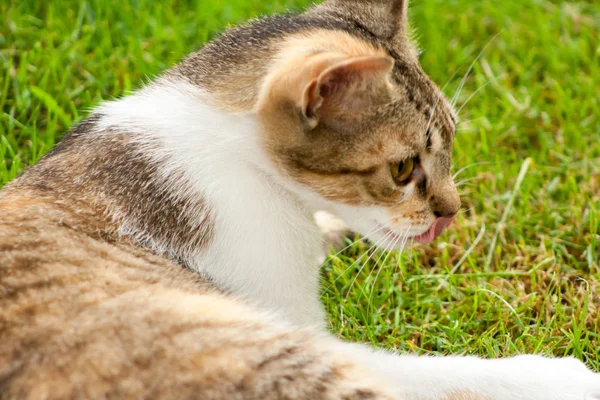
(346, 87)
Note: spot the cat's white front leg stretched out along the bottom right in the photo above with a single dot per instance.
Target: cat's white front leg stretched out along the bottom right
(525, 377)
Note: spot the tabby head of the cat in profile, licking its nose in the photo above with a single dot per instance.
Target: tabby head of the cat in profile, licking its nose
(352, 120)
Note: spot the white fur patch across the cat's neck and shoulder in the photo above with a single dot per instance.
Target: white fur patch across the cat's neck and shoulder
(260, 241)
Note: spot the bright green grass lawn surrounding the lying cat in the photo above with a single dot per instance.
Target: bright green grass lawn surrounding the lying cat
(519, 271)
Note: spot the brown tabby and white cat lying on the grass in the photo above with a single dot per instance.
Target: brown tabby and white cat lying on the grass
(166, 248)
